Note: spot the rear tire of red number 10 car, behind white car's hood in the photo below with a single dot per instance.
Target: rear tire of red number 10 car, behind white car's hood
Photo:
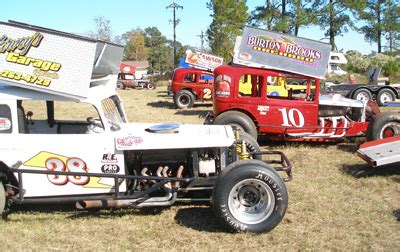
(239, 120)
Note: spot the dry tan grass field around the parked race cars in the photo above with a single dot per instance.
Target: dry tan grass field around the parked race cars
(335, 203)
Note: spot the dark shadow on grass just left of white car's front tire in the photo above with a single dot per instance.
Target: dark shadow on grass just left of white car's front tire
(198, 218)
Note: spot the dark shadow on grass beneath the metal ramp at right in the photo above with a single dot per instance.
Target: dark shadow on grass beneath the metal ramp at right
(364, 171)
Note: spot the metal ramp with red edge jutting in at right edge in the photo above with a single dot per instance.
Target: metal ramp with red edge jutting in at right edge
(381, 152)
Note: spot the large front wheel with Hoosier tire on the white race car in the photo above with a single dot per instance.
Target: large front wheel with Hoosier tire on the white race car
(249, 196)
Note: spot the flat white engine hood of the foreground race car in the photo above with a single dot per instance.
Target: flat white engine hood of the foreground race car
(147, 136)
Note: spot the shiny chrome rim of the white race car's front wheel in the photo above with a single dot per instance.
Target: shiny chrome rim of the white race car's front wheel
(251, 201)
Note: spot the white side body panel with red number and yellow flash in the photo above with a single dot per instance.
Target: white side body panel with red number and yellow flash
(87, 153)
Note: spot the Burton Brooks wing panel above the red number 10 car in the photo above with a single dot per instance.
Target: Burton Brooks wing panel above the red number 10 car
(272, 50)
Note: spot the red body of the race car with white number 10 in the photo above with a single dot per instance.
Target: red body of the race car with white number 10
(274, 113)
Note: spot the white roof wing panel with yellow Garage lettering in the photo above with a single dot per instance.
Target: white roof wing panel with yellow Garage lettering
(52, 61)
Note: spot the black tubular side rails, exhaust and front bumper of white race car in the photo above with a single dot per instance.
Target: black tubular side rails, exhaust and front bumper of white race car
(138, 199)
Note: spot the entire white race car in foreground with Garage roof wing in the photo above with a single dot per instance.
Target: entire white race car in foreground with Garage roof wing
(80, 147)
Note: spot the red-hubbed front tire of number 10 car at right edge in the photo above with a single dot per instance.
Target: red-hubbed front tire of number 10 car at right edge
(383, 125)
